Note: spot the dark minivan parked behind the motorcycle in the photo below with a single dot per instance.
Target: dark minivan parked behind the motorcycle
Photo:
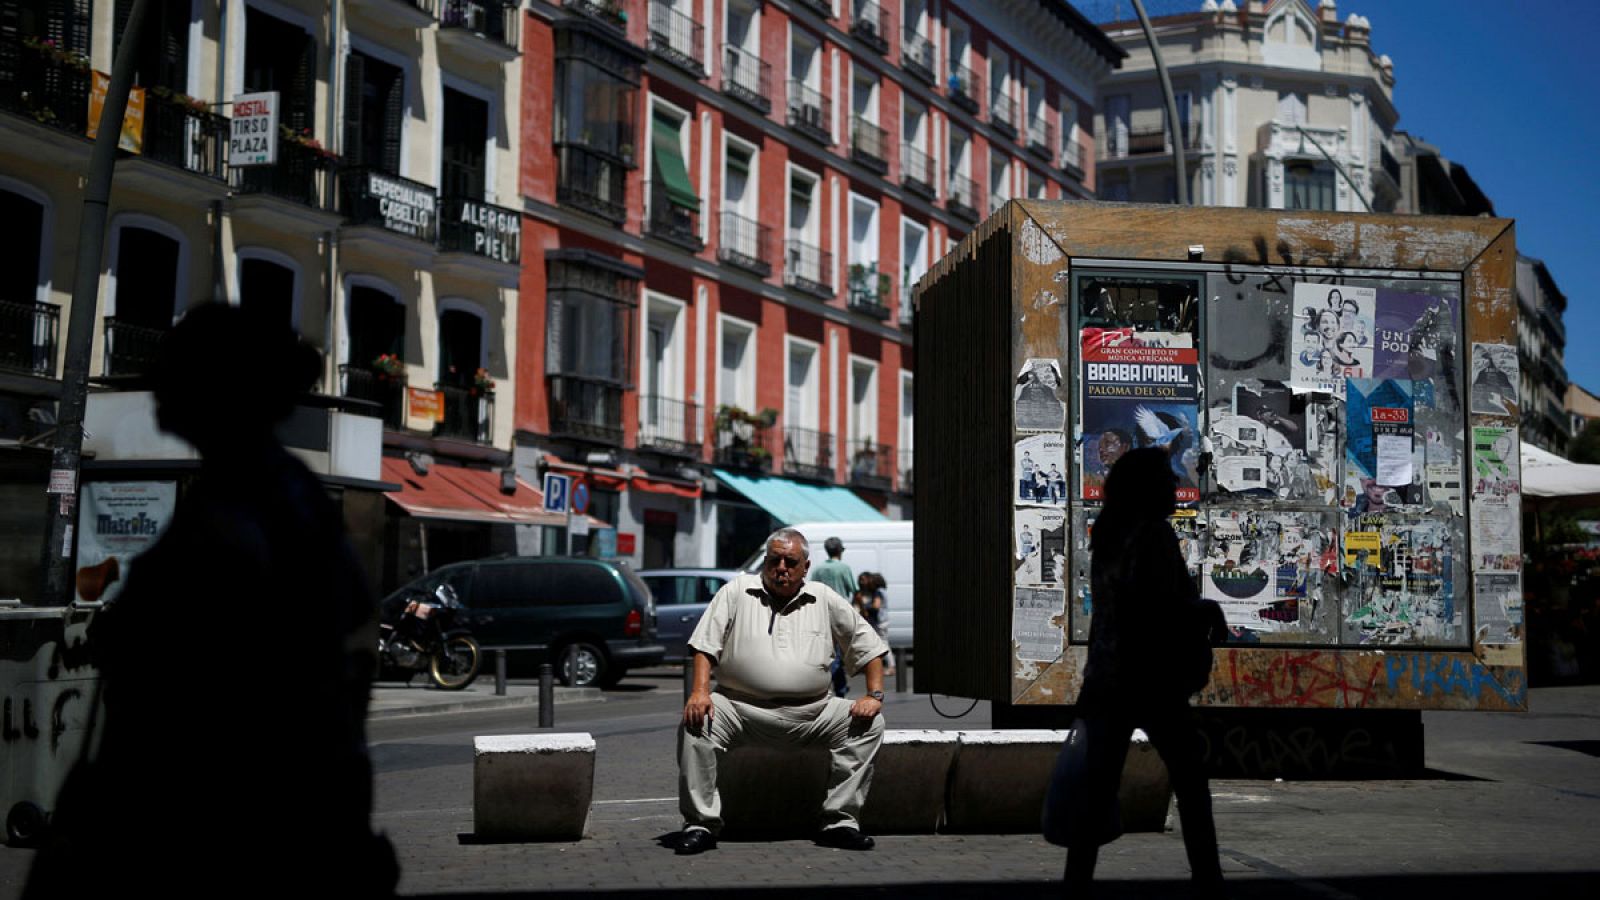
(594, 606)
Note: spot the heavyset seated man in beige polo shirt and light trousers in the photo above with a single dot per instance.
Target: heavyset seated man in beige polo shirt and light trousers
(772, 640)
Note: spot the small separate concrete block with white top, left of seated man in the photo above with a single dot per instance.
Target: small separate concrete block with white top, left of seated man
(532, 787)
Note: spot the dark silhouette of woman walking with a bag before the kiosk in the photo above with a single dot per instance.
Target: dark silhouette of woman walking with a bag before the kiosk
(1140, 587)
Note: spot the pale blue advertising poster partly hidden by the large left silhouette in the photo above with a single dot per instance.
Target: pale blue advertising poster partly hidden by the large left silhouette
(118, 523)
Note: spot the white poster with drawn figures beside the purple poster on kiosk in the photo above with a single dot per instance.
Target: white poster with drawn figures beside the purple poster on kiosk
(1334, 337)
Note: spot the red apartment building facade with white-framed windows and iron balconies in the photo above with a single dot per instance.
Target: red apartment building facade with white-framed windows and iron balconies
(726, 207)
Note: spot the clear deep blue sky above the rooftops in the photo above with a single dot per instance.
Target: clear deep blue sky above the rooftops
(1508, 90)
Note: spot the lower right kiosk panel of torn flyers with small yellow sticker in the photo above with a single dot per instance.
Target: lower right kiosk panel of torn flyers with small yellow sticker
(1401, 581)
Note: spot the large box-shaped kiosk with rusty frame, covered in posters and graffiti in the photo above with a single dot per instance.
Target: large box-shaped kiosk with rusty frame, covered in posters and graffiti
(1338, 398)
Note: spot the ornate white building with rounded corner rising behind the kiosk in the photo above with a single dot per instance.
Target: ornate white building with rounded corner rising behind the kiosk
(1273, 97)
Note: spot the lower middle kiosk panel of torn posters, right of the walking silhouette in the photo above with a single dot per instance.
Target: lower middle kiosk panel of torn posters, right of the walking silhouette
(1274, 574)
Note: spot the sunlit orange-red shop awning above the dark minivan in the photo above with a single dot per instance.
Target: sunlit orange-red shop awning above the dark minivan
(465, 496)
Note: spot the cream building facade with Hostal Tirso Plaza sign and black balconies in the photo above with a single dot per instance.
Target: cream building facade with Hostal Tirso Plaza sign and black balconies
(386, 231)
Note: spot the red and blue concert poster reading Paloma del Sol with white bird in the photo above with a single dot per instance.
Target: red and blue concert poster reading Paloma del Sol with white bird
(1138, 396)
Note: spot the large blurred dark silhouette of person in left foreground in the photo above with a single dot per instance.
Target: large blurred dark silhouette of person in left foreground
(236, 664)
